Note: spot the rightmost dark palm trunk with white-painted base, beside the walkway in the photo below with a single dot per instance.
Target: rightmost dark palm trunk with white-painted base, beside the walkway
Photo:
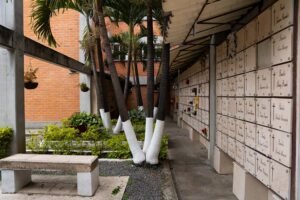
(154, 147)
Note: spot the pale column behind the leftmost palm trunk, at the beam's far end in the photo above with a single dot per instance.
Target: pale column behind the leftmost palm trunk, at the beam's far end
(85, 97)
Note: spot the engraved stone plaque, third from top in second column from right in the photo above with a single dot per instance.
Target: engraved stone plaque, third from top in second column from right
(263, 80)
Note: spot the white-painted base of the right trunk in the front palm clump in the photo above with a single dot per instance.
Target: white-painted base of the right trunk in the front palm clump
(154, 148)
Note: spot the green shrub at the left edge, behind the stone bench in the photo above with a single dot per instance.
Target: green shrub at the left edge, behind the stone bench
(6, 135)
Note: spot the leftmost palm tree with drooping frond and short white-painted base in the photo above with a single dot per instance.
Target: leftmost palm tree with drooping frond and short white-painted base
(43, 10)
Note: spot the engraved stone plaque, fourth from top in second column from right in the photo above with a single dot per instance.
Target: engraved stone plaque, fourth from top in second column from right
(263, 111)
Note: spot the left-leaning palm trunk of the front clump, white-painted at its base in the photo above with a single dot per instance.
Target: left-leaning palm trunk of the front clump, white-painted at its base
(137, 153)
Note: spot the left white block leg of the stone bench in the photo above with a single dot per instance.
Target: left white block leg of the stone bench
(14, 180)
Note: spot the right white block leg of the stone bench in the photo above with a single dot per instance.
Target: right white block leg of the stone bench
(88, 182)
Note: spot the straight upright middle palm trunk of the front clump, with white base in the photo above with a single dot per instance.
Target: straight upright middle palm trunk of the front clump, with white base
(150, 77)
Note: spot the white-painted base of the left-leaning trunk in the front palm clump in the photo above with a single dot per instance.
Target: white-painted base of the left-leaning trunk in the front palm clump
(136, 151)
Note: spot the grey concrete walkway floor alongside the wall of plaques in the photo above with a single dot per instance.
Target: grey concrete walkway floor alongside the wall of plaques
(193, 177)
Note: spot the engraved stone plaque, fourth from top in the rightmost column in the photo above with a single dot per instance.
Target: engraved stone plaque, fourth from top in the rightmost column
(281, 114)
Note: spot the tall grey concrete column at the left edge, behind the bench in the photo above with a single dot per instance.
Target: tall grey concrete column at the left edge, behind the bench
(12, 75)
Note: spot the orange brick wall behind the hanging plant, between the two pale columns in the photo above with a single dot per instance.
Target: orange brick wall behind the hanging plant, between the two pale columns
(57, 95)
